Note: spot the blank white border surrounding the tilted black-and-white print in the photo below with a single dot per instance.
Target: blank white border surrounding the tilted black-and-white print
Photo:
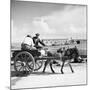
(5, 43)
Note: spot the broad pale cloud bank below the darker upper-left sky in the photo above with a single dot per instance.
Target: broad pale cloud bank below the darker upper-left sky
(70, 22)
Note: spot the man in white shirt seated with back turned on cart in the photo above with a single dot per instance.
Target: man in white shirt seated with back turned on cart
(27, 44)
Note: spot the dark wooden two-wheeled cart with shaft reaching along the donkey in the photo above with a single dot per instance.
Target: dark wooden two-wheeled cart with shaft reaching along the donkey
(29, 61)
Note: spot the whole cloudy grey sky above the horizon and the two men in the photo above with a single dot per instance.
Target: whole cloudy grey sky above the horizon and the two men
(51, 20)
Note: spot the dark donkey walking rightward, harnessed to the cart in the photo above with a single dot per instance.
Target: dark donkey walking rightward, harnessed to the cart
(64, 55)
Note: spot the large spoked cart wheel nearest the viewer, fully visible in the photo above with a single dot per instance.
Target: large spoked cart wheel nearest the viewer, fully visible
(24, 62)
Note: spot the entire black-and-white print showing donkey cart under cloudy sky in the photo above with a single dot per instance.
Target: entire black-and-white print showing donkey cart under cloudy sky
(48, 44)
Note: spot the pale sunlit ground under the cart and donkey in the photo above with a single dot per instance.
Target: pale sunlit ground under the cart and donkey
(39, 79)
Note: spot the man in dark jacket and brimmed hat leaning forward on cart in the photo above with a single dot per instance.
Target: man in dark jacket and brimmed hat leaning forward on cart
(37, 41)
